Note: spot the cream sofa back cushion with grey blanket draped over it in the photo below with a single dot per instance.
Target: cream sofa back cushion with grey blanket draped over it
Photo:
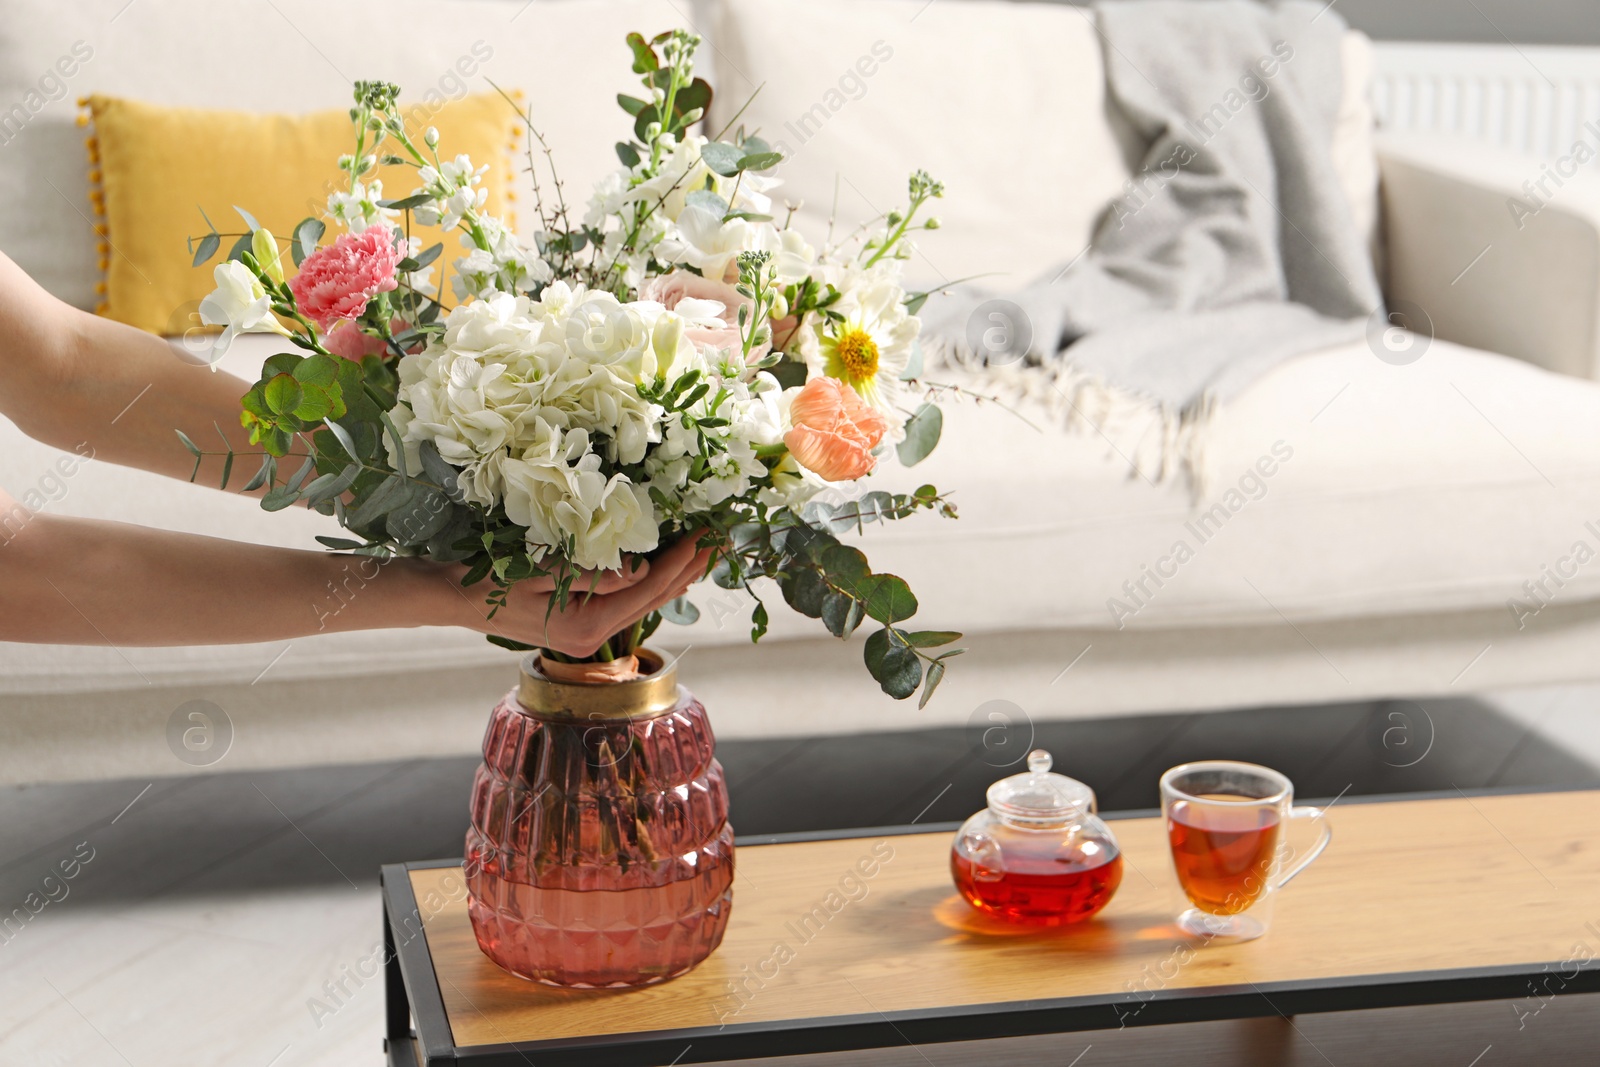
(1002, 102)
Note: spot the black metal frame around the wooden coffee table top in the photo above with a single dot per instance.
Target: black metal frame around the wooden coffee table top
(412, 994)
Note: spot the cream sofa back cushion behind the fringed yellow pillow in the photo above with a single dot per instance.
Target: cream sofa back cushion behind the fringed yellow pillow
(290, 57)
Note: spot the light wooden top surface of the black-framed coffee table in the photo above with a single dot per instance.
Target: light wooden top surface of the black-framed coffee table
(1407, 887)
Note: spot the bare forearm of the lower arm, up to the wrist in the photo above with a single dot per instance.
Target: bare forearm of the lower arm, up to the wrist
(79, 581)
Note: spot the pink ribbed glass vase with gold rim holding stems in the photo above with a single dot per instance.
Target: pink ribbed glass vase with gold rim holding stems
(599, 852)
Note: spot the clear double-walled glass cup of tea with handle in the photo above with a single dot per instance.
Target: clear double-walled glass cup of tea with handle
(1226, 825)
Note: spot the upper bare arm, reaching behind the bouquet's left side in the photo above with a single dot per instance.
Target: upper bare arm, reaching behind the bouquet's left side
(68, 377)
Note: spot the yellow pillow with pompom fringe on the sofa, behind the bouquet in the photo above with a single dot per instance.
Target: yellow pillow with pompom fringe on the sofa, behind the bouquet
(153, 169)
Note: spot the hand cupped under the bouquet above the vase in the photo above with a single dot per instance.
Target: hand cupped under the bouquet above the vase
(618, 601)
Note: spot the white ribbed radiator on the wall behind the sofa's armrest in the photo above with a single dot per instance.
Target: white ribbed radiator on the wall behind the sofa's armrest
(1526, 98)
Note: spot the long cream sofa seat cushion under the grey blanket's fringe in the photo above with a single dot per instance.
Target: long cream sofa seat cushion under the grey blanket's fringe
(1342, 487)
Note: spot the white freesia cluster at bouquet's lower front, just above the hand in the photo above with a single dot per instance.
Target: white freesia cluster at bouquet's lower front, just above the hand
(558, 490)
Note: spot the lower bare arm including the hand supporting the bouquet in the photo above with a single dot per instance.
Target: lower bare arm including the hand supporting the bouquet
(76, 581)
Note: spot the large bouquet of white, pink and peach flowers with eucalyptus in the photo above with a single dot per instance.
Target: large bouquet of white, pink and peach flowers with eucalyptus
(671, 364)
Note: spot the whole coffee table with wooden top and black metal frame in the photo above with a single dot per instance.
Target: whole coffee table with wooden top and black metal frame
(855, 941)
